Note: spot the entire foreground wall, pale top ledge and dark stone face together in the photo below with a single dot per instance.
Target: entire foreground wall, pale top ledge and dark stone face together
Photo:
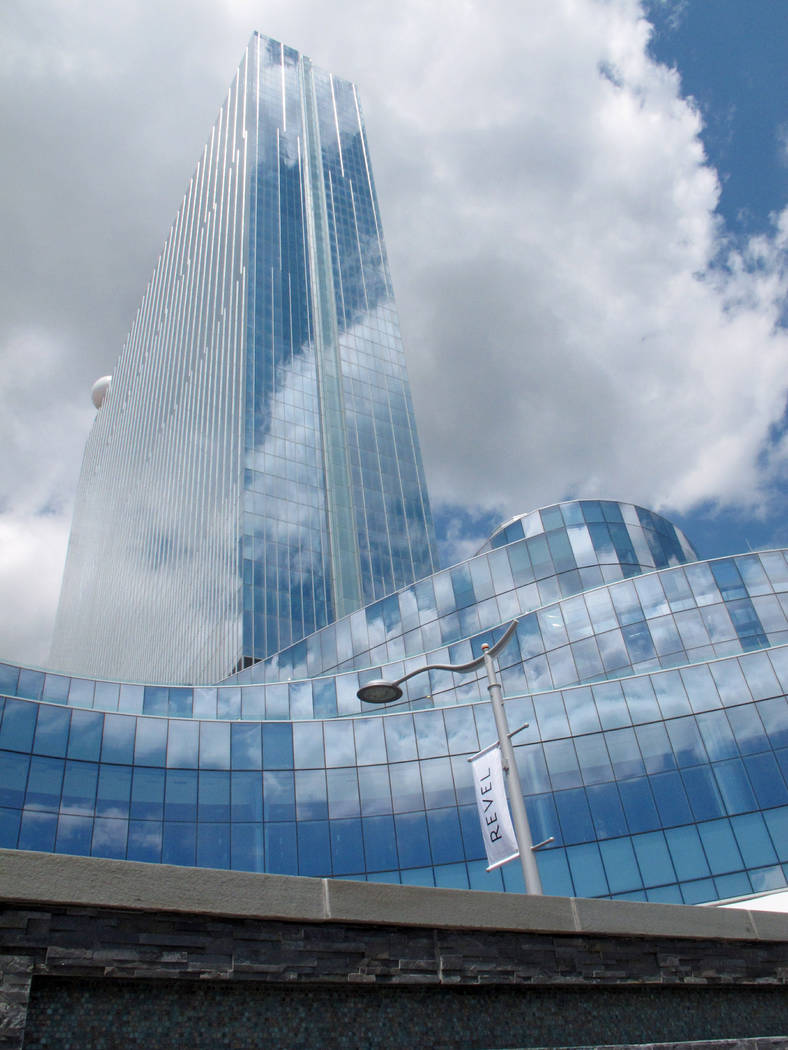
(105, 954)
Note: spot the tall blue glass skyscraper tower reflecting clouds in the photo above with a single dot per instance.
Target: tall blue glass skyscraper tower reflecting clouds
(254, 472)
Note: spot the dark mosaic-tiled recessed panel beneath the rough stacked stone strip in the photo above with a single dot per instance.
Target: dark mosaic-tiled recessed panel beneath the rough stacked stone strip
(154, 1016)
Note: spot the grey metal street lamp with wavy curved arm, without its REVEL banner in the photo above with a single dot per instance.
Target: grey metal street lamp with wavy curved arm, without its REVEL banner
(386, 692)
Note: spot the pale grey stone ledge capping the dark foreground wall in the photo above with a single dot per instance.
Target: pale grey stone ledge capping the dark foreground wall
(40, 878)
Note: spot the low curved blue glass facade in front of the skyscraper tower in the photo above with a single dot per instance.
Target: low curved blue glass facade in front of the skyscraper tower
(657, 752)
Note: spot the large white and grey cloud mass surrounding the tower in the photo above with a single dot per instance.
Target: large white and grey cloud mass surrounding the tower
(575, 320)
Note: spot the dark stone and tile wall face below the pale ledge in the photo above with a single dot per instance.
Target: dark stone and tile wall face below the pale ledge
(117, 978)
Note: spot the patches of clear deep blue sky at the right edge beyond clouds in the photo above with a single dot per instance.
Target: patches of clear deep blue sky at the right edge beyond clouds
(733, 58)
